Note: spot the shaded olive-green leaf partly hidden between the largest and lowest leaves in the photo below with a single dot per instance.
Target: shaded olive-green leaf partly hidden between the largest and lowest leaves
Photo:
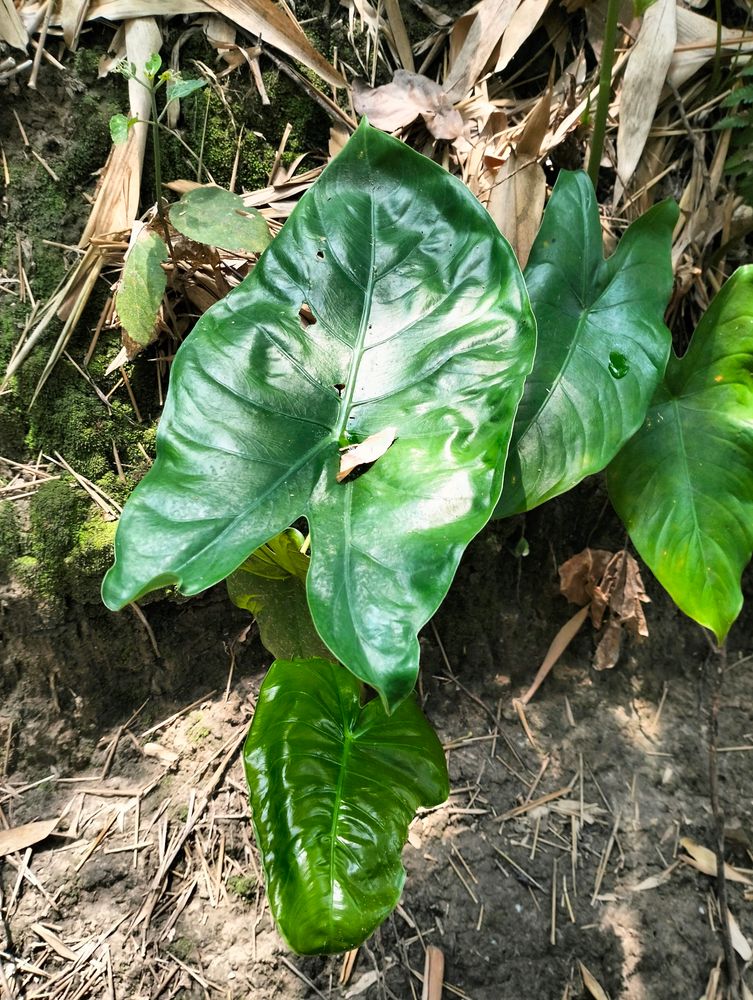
(271, 584)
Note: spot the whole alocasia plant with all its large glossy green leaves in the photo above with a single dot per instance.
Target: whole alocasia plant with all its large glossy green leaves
(423, 338)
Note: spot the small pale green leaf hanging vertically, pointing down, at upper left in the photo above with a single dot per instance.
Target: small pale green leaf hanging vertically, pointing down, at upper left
(142, 286)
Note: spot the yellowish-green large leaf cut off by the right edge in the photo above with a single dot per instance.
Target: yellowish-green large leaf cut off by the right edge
(683, 485)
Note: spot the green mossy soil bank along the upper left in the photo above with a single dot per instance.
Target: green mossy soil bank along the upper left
(68, 545)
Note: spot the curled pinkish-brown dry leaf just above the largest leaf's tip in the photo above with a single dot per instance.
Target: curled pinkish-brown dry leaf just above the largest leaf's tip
(397, 104)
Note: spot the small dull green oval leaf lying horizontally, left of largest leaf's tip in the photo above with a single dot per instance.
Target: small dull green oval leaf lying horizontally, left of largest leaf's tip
(218, 217)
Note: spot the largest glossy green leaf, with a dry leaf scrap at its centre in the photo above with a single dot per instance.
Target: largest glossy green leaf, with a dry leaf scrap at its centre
(422, 325)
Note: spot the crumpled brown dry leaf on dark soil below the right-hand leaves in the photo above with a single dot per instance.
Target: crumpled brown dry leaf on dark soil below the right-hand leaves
(611, 585)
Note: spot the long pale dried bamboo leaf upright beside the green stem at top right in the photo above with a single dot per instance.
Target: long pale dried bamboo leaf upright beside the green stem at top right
(645, 74)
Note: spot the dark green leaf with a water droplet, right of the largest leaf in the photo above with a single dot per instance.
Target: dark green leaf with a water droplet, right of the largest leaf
(602, 343)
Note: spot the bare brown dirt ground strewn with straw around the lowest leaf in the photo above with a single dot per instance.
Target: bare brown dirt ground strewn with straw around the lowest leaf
(543, 858)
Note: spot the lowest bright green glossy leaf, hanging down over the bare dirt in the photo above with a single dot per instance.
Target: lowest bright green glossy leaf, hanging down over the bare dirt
(334, 786)
